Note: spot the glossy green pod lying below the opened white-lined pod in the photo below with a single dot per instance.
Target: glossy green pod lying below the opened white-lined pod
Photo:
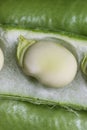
(16, 115)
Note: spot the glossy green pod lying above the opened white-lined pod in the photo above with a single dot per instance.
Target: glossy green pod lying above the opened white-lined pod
(65, 15)
